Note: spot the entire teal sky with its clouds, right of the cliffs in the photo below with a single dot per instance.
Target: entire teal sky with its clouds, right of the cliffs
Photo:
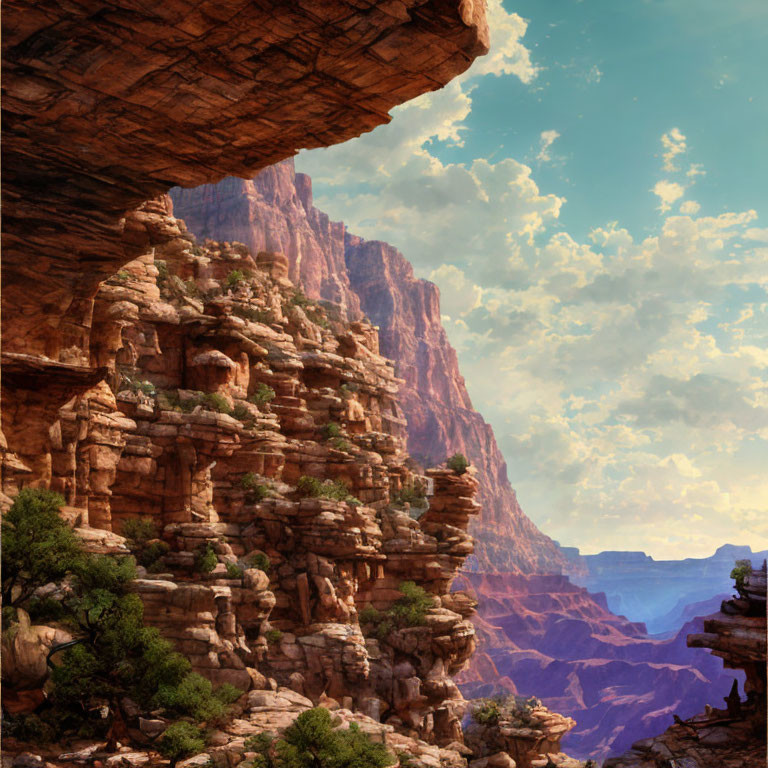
(590, 198)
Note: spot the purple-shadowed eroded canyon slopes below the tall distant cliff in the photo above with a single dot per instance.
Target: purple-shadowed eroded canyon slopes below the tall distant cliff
(543, 636)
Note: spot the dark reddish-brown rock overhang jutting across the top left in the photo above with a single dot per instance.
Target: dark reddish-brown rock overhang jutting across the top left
(108, 104)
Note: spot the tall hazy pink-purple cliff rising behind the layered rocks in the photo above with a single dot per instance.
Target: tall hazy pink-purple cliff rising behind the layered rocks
(274, 210)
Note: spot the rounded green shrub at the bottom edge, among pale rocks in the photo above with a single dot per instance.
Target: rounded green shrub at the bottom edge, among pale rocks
(311, 741)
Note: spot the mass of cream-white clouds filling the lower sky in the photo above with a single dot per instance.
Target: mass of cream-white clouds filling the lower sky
(626, 386)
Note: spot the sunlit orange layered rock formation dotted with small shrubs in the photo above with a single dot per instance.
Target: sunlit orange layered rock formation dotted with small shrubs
(195, 341)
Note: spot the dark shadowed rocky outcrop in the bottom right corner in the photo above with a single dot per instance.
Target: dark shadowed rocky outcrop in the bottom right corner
(730, 737)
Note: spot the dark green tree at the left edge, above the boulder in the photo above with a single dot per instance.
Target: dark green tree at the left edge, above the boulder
(38, 546)
